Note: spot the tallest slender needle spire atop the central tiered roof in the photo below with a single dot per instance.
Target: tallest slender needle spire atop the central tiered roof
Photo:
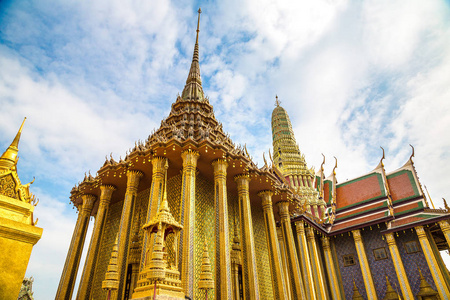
(193, 90)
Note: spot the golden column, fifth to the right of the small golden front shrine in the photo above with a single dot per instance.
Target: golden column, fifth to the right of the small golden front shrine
(298, 291)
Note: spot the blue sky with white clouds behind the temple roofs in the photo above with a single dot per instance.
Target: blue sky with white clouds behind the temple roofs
(92, 77)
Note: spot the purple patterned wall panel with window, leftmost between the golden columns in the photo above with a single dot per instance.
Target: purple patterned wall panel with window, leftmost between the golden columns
(345, 245)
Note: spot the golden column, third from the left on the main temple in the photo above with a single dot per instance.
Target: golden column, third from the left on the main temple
(133, 177)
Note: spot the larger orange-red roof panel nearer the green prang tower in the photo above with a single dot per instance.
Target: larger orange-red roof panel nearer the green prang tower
(360, 190)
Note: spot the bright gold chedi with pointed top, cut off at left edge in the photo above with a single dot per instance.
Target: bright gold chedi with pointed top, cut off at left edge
(18, 233)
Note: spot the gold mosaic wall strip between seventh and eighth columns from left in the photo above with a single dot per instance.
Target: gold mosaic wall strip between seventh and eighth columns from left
(262, 253)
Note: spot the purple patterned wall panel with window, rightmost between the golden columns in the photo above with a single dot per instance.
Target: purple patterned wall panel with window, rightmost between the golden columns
(413, 261)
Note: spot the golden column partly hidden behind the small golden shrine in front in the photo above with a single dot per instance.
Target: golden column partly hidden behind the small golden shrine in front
(156, 193)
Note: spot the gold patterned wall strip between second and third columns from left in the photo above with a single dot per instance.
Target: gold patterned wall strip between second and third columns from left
(108, 238)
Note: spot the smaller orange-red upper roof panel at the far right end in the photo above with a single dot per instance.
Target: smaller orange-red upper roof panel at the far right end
(402, 186)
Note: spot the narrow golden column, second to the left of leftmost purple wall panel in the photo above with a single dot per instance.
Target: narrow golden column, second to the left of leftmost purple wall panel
(314, 254)
